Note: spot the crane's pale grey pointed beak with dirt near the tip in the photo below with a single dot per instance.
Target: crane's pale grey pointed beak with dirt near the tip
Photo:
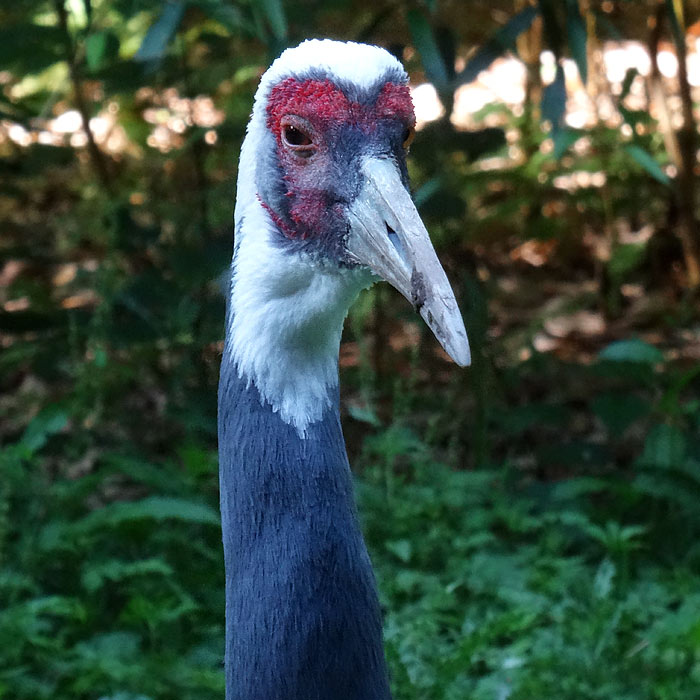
(388, 236)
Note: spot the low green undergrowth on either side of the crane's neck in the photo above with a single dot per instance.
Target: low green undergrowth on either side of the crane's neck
(495, 584)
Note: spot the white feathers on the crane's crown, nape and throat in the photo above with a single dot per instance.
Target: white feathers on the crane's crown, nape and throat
(287, 311)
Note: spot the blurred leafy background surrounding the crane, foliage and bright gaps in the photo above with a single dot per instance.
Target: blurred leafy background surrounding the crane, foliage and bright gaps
(533, 520)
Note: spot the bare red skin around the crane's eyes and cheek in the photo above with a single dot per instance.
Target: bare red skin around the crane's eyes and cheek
(318, 104)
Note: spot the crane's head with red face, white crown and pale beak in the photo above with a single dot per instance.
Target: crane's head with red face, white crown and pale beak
(325, 157)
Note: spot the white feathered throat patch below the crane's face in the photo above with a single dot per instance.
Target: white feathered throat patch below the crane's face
(285, 321)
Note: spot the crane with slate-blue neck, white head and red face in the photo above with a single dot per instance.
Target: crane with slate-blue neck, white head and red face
(323, 210)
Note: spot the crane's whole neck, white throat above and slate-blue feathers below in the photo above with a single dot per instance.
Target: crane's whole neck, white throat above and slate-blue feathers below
(302, 615)
